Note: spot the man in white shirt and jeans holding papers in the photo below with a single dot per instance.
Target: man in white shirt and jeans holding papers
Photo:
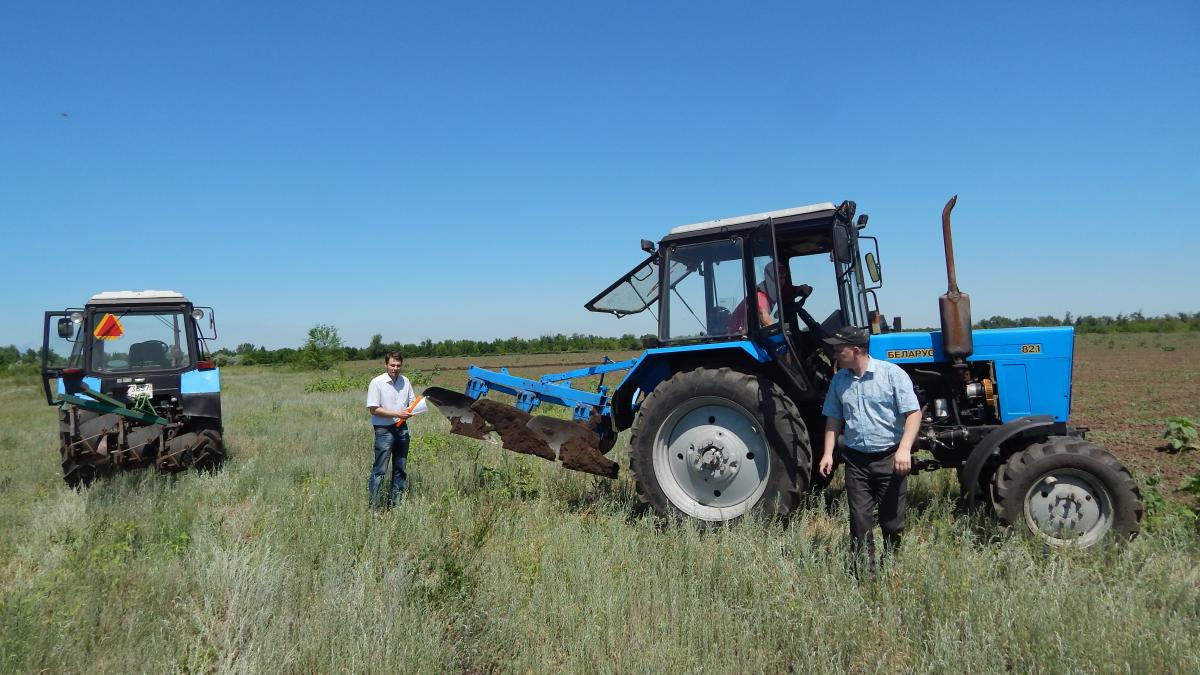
(389, 397)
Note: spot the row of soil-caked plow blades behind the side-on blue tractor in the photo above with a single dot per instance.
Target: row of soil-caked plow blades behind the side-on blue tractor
(573, 444)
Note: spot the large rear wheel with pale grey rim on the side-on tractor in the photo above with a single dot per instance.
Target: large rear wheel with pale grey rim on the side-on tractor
(717, 444)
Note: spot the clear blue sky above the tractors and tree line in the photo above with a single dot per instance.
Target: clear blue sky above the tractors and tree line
(482, 170)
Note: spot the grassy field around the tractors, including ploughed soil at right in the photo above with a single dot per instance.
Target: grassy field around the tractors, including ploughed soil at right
(499, 563)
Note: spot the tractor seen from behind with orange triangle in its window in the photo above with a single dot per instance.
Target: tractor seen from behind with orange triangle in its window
(135, 385)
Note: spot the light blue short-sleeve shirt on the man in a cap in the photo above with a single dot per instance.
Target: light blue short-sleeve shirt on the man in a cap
(873, 407)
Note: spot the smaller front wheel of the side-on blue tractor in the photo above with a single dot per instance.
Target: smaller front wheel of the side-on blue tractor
(1069, 492)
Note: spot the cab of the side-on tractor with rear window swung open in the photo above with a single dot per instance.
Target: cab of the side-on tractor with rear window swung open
(782, 279)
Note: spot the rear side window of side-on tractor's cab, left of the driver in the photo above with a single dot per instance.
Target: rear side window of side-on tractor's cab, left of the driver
(707, 291)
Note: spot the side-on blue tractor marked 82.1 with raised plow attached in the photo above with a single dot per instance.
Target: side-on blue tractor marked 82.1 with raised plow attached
(724, 405)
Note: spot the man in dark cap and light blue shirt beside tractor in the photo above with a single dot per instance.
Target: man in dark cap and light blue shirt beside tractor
(872, 403)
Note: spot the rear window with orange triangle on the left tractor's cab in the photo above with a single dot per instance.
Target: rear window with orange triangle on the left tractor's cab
(125, 342)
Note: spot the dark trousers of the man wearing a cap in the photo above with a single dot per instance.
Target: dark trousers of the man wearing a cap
(873, 486)
